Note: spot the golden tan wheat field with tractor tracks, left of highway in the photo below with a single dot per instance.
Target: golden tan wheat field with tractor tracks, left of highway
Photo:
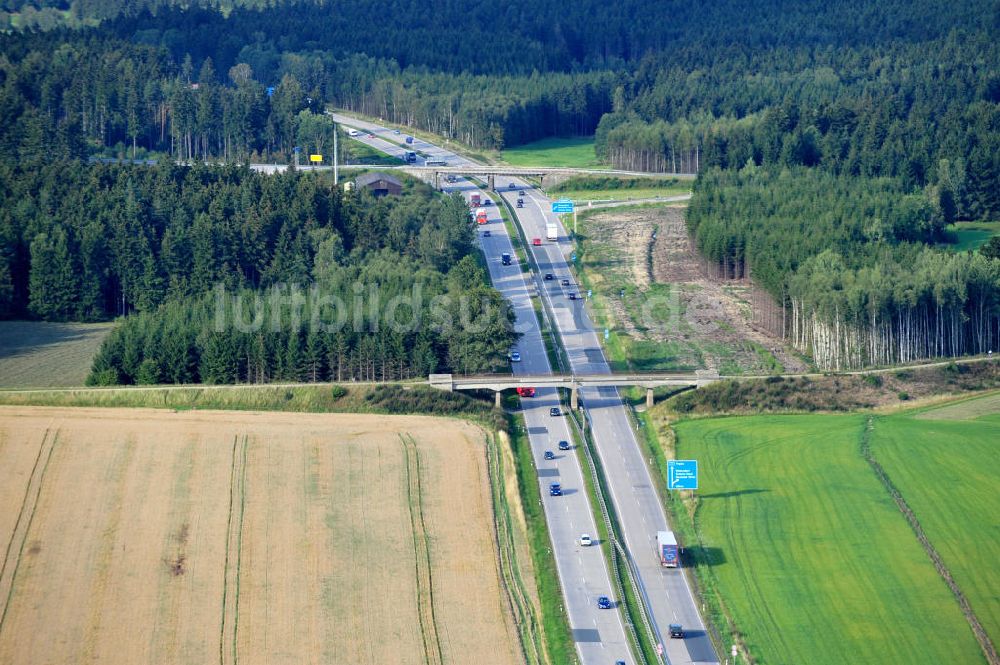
(148, 536)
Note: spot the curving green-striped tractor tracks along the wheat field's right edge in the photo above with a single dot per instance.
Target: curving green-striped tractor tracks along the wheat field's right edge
(518, 603)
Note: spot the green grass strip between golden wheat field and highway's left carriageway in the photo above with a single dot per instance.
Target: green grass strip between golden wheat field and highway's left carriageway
(555, 627)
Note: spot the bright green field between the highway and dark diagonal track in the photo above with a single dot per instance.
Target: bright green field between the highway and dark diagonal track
(814, 560)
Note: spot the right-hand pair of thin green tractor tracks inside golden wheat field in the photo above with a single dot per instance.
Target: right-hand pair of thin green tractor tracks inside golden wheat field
(422, 558)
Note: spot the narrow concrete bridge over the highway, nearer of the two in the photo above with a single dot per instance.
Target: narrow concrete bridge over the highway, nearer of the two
(572, 382)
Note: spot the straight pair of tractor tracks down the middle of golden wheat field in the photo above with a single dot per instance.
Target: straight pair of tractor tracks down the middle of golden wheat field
(234, 551)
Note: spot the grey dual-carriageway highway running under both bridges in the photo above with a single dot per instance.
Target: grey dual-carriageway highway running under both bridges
(633, 494)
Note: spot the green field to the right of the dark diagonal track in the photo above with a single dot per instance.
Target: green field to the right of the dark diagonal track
(947, 470)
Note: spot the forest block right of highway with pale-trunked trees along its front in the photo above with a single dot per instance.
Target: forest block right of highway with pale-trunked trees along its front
(849, 263)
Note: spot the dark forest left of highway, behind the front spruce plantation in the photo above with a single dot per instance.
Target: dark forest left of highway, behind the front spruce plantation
(89, 242)
